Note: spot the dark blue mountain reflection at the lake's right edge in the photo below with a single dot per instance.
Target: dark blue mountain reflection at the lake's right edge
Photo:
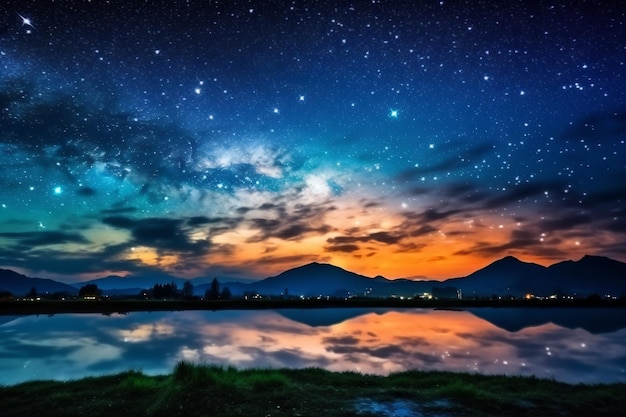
(593, 320)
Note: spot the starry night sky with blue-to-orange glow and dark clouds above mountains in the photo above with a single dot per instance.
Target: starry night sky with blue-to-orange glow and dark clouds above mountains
(243, 138)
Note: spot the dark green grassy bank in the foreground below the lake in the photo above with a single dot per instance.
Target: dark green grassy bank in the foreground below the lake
(212, 391)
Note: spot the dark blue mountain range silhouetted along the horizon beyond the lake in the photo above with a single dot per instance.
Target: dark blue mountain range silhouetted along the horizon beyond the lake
(507, 276)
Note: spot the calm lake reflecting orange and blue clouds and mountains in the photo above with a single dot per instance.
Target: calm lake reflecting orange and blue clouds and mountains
(570, 345)
